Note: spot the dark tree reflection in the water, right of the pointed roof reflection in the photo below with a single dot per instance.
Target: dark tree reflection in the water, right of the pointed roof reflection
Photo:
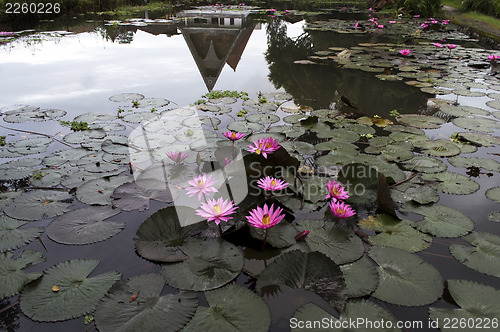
(321, 86)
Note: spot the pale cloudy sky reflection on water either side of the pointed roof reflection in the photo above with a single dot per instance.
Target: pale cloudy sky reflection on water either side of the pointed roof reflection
(78, 73)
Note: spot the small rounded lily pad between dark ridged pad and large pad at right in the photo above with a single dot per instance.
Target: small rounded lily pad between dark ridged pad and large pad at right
(361, 277)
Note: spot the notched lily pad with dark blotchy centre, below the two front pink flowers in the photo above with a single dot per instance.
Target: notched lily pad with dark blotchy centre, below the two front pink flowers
(211, 263)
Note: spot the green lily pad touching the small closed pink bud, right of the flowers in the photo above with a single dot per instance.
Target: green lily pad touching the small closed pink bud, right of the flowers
(338, 243)
